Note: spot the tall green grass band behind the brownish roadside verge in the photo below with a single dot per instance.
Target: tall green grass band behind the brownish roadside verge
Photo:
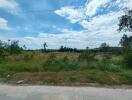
(56, 62)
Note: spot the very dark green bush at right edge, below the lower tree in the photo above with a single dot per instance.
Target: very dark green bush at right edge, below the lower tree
(127, 60)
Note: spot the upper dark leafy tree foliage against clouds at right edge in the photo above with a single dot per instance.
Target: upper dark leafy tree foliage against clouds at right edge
(125, 21)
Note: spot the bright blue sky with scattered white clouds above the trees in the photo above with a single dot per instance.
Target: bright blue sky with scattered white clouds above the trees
(72, 23)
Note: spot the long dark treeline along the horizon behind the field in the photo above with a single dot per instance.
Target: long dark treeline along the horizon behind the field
(13, 47)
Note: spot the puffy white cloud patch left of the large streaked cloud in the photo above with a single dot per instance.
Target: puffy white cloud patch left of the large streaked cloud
(72, 14)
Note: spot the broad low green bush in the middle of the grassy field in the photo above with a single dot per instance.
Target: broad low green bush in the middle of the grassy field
(61, 64)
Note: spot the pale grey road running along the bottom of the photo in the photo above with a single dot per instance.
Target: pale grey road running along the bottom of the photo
(8, 92)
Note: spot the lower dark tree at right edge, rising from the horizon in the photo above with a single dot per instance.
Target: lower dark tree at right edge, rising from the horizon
(126, 42)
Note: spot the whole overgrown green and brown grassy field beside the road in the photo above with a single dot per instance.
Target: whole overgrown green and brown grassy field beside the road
(65, 68)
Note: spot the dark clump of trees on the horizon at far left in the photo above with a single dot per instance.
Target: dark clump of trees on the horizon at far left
(10, 47)
